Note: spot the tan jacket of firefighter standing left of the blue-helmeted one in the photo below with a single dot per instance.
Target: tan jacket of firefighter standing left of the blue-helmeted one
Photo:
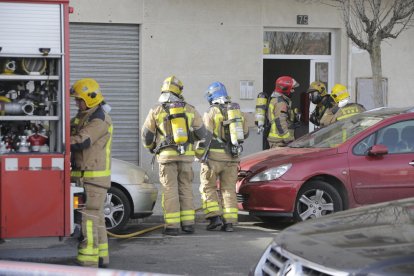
(157, 134)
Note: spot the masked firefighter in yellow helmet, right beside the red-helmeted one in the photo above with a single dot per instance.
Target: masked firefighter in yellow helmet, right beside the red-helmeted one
(319, 96)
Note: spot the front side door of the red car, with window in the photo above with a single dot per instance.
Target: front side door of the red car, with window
(387, 177)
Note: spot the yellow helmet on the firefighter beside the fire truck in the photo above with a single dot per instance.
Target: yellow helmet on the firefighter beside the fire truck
(87, 90)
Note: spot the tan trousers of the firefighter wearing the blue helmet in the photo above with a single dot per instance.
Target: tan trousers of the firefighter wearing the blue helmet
(213, 205)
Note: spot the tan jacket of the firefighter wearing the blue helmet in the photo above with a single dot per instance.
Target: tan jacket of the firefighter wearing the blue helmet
(219, 133)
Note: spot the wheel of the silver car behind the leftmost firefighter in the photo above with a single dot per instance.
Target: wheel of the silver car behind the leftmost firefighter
(117, 210)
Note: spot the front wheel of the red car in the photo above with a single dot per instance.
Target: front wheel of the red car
(317, 199)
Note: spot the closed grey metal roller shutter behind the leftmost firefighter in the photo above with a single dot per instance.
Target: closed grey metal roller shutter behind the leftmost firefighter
(109, 54)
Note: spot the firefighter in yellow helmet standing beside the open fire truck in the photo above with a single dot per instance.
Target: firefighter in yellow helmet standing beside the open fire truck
(90, 145)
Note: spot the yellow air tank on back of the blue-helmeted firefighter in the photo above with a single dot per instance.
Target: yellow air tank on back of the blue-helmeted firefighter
(235, 127)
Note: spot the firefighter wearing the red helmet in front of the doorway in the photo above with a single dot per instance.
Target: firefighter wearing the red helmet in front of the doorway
(282, 118)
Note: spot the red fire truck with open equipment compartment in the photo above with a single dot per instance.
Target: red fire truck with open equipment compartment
(36, 196)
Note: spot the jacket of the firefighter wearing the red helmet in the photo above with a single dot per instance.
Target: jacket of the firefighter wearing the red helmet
(281, 118)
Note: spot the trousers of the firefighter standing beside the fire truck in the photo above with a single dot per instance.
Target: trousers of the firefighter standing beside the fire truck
(94, 244)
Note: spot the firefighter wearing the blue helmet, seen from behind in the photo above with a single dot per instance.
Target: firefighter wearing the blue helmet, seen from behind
(226, 131)
